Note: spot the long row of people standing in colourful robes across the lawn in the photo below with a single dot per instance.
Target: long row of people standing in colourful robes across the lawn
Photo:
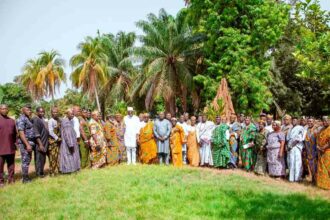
(292, 147)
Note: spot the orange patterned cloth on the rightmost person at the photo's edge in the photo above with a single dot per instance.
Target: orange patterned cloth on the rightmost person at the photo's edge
(323, 166)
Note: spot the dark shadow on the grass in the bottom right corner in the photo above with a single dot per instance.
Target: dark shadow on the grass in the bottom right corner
(276, 206)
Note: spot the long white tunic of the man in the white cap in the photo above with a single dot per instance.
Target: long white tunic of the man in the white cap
(132, 128)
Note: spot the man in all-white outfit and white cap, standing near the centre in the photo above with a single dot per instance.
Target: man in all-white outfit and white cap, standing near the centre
(132, 129)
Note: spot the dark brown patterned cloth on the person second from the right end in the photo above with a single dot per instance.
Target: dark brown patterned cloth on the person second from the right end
(311, 151)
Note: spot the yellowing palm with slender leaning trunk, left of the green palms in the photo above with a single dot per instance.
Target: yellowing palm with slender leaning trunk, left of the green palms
(90, 67)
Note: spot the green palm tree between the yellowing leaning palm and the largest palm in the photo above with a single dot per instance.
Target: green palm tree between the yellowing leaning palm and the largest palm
(120, 68)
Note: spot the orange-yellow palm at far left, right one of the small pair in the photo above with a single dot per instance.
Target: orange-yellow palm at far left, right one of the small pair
(51, 75)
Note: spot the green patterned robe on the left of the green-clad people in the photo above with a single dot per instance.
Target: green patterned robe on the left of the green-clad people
(220, 146)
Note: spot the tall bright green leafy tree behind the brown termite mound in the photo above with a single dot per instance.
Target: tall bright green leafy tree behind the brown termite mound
(239, 34)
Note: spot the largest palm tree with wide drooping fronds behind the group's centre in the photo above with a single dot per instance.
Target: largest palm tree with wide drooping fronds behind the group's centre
(167, 48)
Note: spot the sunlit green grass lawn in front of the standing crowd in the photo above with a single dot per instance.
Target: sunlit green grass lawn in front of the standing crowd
(155, 192)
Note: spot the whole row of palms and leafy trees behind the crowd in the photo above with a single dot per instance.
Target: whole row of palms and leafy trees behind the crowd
(271, 53)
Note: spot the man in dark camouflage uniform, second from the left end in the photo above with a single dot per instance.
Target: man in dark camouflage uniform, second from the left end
(26, 141)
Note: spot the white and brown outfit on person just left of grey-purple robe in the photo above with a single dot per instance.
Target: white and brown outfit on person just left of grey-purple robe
(54, 127)
